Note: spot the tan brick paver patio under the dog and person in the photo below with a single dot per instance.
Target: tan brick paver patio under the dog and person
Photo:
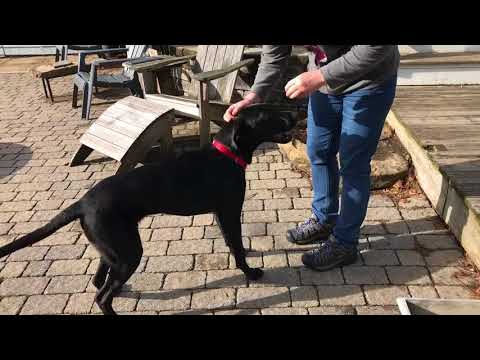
(405, 249)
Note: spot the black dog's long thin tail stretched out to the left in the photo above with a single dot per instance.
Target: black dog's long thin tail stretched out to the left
(71, 213)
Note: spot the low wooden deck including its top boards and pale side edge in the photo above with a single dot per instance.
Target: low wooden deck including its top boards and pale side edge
(440, 127)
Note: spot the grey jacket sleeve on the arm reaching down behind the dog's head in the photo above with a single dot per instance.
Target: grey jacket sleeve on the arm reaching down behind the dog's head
(271, 68)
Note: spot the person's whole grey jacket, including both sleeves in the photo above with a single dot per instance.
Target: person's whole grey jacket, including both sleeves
(348, 67)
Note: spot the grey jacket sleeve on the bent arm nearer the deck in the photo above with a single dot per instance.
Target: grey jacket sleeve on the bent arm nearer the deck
(357, 62)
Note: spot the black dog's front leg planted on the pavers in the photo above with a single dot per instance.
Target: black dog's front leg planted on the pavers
(230, 225)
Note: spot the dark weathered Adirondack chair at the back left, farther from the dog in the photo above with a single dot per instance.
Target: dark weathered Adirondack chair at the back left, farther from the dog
(87, 76)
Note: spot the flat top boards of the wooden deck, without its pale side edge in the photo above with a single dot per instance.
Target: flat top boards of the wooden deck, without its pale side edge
(445, 127)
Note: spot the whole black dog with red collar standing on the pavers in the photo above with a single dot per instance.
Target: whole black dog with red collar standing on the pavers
(211, 179)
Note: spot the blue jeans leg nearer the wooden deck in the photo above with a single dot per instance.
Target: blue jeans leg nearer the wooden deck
(364, 114)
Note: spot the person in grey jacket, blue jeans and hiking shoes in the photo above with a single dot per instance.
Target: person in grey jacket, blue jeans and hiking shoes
(351, 88)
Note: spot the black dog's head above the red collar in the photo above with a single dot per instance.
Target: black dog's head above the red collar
(267, 123)
